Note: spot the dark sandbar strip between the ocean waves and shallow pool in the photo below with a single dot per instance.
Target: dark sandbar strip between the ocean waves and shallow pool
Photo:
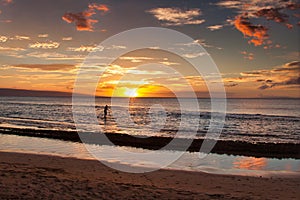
(237, 148)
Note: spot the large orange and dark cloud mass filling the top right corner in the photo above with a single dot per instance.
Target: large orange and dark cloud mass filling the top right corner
(278, 11)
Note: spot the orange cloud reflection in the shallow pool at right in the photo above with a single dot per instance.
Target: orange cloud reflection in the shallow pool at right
(250, 163)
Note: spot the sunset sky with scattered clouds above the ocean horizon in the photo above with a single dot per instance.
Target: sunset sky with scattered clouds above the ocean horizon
(254, 44)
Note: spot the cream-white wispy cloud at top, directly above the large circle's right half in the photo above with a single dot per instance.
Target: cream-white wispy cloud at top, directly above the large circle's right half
(177, 16)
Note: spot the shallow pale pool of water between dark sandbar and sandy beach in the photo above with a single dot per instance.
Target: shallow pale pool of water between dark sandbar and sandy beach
(213, 163)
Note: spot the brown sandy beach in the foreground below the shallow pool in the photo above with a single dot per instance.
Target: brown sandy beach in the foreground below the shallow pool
(28, 176)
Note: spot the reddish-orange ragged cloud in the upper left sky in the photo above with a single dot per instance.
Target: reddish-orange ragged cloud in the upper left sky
(83, 19)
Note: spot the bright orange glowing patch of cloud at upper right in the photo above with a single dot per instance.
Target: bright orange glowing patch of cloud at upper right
(258, 33)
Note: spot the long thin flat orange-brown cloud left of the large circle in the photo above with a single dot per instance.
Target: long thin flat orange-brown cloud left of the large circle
(47, 67)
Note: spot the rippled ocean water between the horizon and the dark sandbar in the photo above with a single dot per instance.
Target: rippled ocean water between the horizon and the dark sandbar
(250, 120)
